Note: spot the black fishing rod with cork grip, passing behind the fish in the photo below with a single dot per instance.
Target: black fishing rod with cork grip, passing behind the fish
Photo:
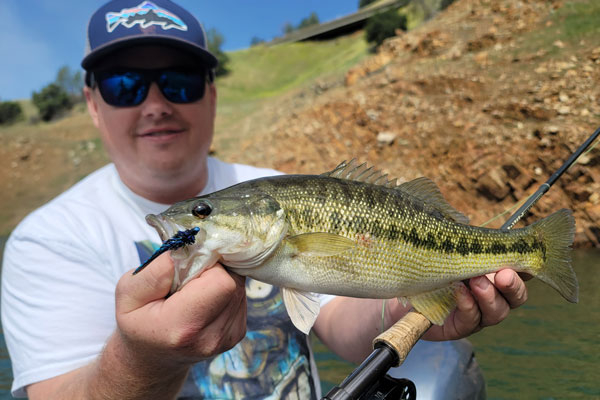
(369, 380)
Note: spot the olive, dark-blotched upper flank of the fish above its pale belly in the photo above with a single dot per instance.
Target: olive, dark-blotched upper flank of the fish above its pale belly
(349, 208)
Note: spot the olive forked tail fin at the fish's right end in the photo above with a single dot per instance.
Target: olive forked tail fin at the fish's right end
(557, 232)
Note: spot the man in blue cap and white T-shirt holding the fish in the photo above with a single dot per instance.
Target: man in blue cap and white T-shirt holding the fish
(72, 335)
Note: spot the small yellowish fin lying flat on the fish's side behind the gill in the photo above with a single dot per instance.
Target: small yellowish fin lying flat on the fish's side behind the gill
(320, 244)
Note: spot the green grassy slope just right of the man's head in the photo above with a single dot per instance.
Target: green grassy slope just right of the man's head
(261, 74)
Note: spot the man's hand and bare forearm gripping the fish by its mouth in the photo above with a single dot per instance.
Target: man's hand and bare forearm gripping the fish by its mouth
(157, 338)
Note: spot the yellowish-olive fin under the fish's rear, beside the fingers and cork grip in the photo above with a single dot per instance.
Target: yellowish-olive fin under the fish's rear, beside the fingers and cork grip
(437, 304)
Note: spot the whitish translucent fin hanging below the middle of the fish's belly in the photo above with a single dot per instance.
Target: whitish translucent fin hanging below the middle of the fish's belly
(302, 307)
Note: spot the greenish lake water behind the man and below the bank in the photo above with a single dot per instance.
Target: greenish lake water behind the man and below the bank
(547, 349)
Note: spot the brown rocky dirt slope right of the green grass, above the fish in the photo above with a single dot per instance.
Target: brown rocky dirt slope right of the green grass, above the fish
(475, 99)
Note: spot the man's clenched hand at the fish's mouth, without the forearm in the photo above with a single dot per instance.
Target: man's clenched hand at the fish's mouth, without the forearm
(206, 317)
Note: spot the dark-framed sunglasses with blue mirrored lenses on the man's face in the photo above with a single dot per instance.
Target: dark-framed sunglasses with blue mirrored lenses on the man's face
(130, 87)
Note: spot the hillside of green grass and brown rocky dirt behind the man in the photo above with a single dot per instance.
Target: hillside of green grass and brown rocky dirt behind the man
(487, 99)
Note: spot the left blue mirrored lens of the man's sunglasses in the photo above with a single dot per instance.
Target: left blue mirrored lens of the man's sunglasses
(124, 89)
